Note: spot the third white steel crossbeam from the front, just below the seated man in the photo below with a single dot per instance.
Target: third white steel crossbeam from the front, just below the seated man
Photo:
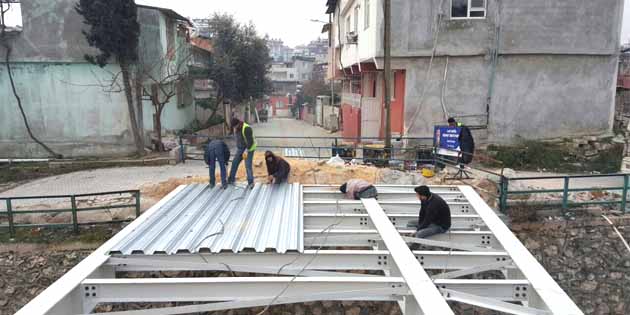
(361, 238)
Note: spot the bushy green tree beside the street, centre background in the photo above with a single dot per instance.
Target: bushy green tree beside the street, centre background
(239, 63)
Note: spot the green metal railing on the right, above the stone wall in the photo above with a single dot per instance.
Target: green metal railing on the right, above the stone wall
(565, 203)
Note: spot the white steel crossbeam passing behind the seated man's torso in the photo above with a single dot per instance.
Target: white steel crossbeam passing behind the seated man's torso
(390, 207)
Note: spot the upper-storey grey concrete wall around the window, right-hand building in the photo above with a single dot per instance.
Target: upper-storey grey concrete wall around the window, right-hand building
(527, 27)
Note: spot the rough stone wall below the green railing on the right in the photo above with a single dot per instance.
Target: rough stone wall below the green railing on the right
(587, 258)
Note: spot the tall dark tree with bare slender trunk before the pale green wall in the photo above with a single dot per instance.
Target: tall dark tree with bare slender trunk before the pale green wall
(114, 31)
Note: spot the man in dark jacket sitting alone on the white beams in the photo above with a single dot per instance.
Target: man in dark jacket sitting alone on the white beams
(435, 215)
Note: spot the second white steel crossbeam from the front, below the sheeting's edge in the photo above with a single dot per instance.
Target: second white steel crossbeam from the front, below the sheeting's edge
(310, 260)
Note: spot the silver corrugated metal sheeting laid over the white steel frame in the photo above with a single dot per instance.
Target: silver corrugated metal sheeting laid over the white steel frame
(204, 219)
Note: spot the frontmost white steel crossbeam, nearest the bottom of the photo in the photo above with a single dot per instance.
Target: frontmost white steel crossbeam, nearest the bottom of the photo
(156, 290)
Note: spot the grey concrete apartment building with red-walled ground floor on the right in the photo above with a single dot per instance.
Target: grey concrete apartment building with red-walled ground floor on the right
(532, 69)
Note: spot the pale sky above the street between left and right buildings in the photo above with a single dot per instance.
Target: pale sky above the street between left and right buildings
(285, 19)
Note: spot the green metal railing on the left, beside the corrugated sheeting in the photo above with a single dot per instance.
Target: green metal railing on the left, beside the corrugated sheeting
(74, 209)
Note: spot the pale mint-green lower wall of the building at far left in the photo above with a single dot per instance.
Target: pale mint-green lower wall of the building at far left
(67, 109)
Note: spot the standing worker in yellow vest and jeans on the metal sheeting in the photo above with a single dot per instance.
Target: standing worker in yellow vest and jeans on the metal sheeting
(245, 144)
